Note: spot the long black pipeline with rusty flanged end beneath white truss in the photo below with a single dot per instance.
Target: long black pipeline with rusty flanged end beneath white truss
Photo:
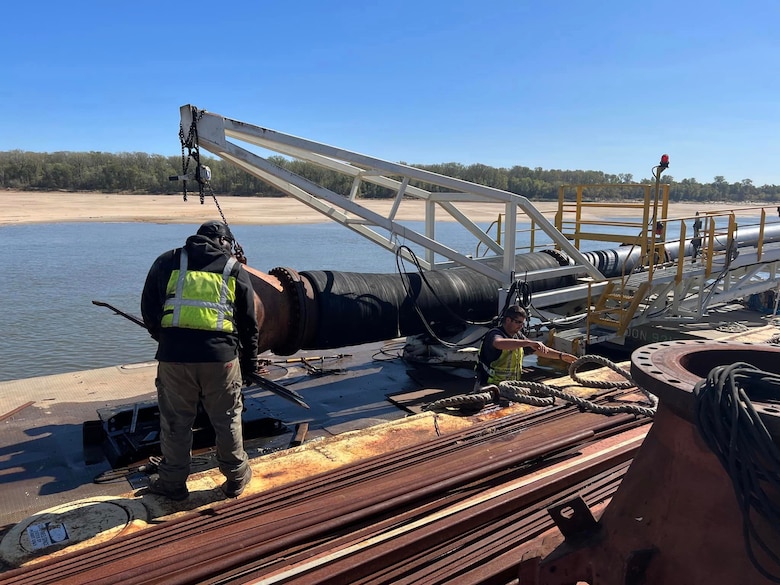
(329, 309)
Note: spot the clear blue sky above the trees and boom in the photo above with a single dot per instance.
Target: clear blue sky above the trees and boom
(607, 85)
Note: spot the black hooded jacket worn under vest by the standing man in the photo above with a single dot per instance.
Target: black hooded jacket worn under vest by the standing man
(193, 345)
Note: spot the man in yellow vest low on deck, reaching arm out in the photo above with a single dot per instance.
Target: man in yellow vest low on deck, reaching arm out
(501, 354)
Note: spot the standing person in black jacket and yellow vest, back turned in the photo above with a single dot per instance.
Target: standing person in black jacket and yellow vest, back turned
(198, 304)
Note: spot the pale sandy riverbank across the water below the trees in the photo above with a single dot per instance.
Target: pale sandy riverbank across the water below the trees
(22, 207)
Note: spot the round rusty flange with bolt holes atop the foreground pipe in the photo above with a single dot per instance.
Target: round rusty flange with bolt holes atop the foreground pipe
(671, 369)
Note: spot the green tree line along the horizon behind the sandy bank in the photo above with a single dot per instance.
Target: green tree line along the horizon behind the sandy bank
(144, 173)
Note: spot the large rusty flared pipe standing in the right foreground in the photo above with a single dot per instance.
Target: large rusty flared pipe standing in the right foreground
(675, 517)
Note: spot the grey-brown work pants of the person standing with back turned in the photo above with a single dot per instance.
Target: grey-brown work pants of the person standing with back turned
(180, 386)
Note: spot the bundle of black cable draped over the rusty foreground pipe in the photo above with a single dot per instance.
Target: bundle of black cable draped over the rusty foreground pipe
(732, 429)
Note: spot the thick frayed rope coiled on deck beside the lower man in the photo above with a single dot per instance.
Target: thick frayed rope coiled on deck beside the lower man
(538, 394)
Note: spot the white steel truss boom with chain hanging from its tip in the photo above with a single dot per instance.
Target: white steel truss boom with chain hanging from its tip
(214, 131)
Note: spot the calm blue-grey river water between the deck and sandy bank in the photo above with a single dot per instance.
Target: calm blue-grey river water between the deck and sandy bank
(52, 272)
